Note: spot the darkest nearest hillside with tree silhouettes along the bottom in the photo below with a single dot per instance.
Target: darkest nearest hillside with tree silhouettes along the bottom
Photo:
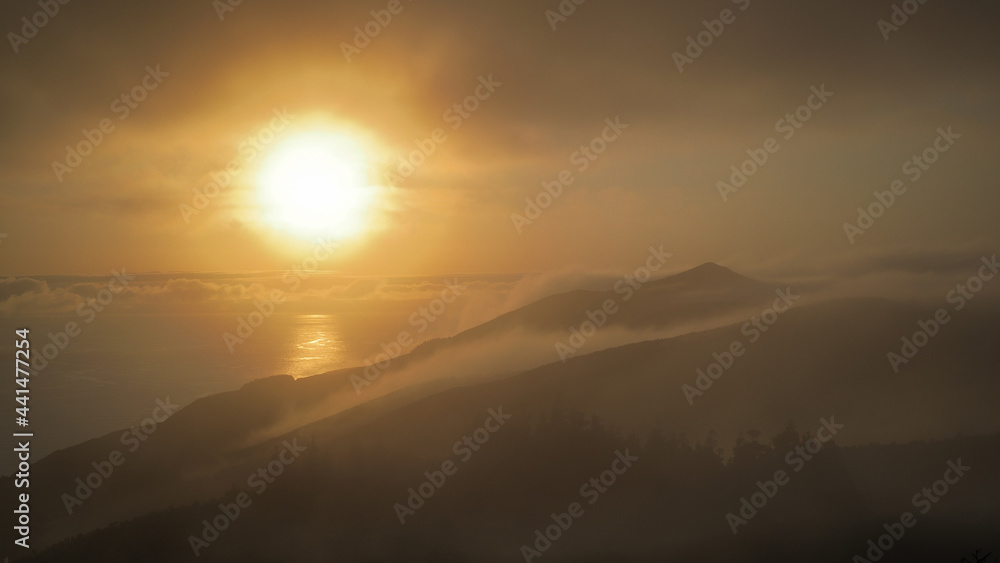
(676, 501)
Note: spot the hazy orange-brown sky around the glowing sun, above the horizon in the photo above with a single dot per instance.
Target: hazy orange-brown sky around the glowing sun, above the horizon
(221, 80)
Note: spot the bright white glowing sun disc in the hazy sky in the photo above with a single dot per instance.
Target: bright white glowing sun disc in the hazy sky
(317, 184)
